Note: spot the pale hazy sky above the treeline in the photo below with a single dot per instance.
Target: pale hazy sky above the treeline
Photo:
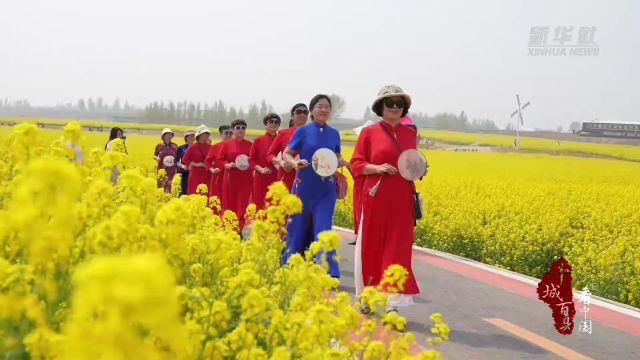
(448, 55)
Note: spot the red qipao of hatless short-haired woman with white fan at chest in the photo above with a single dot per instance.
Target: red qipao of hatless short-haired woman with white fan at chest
(236, 184)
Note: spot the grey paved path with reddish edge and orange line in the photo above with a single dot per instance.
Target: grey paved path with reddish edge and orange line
(495, 315)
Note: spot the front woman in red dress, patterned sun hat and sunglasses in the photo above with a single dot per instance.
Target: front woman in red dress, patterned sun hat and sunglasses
(385, 234)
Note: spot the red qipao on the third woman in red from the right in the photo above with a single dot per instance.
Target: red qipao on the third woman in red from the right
(258, 155)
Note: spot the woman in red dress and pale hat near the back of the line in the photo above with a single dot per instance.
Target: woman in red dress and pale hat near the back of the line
(194, 158)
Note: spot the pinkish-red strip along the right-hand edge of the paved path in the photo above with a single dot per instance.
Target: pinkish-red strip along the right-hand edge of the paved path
(606, 316)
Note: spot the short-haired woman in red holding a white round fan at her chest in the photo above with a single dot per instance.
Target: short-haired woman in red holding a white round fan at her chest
(236, 186)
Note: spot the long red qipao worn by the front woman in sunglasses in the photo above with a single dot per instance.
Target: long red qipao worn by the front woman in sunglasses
(387, 220)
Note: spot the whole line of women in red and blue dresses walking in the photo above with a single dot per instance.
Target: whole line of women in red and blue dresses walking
(239, 171)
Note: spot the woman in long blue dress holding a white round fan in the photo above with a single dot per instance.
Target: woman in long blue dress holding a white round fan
(318, 194)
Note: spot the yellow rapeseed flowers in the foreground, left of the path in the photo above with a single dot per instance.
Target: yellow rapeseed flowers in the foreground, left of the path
(93, 270)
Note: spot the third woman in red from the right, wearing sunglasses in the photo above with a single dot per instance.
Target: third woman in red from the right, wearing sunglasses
(265, 172)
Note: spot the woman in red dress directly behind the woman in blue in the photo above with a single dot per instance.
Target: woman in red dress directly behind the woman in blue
(286, 174)
